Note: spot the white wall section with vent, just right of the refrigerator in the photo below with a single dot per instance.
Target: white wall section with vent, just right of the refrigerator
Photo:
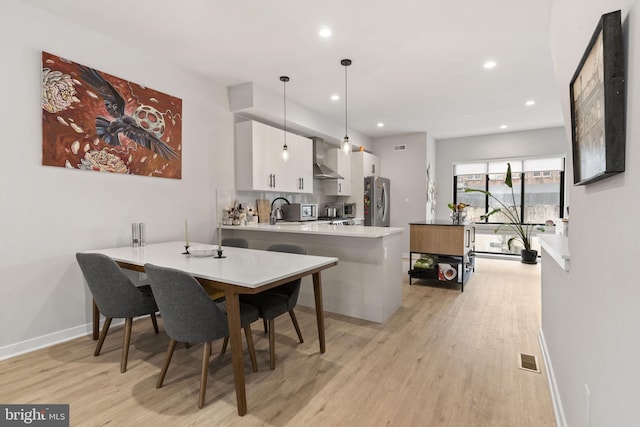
(407, 172)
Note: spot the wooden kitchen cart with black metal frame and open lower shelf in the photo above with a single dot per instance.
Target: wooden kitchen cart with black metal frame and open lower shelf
(453, 244)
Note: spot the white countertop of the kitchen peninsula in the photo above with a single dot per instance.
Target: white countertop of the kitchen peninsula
(320, 229)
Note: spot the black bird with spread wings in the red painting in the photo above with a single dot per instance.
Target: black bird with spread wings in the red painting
(109, 130)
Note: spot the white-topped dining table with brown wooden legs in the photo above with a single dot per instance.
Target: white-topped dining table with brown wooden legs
(241, 271)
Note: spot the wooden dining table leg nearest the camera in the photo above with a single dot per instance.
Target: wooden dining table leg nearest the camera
(235, 339)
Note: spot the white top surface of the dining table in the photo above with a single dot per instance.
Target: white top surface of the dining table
(265, 266)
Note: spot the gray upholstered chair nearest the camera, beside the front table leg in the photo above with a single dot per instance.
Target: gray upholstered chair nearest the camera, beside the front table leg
(190, 316)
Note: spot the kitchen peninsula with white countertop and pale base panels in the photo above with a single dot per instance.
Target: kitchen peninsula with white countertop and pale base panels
(366, 283)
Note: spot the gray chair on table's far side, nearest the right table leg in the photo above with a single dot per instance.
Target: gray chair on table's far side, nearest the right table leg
(277, 301)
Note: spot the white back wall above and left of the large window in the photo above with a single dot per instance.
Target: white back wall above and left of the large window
(540, 142)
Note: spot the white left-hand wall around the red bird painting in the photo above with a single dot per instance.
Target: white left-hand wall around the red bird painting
(49, 213)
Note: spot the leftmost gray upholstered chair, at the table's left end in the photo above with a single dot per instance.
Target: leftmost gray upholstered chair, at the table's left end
(116, 297)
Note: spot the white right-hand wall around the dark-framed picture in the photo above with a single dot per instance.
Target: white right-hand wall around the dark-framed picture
(591, 316)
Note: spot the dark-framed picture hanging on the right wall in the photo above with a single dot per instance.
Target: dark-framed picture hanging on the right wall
(598, 105)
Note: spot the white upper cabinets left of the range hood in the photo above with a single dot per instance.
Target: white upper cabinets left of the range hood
(259, 162)
